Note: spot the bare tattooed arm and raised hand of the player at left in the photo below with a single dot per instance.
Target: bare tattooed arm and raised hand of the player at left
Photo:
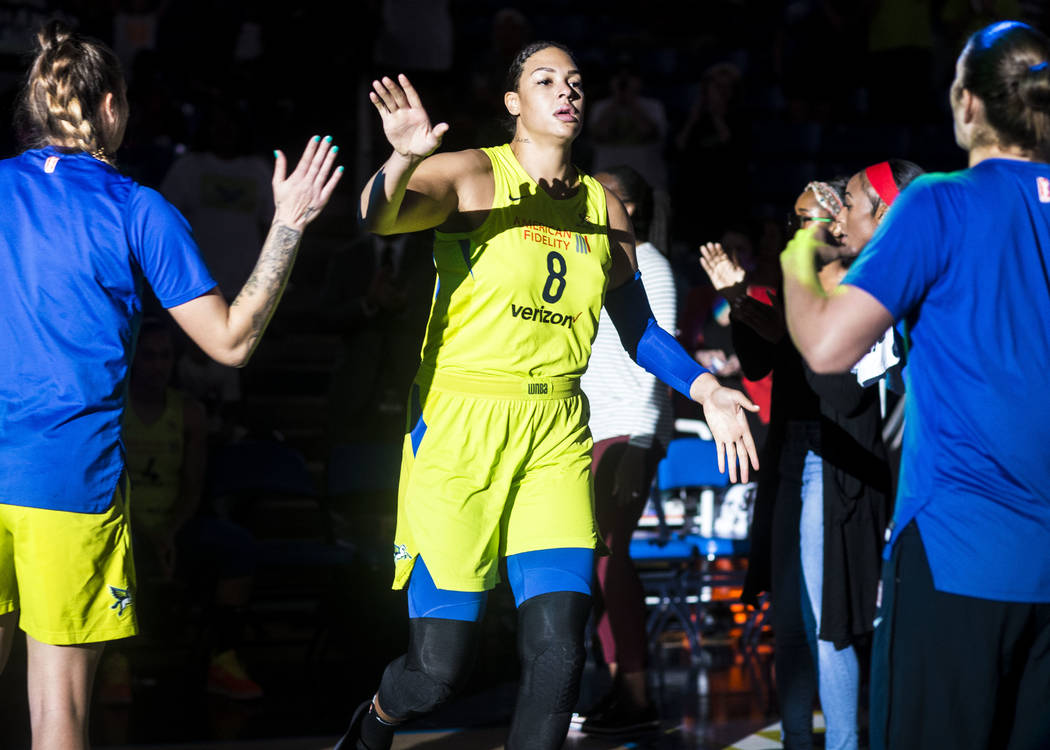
(229, 335)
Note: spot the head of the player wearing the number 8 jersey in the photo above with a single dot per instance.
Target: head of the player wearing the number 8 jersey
(550, 99)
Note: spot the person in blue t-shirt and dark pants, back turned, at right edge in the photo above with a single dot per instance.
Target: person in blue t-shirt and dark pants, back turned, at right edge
(962, 651)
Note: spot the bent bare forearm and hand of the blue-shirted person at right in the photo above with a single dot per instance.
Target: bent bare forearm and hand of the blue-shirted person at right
(832, 331)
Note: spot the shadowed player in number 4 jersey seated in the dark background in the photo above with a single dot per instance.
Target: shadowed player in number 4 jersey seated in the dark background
(166, 440)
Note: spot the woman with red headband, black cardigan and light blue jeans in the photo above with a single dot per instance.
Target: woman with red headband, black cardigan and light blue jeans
(842, 537)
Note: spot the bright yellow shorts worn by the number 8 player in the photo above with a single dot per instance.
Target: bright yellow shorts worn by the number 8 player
(492, 468)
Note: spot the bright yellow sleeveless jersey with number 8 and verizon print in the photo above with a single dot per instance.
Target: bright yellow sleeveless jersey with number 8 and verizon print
(520, 297)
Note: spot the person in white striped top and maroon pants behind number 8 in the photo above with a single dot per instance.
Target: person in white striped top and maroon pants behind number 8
(632, 425)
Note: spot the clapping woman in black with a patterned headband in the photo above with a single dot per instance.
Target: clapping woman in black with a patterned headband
(793, 468)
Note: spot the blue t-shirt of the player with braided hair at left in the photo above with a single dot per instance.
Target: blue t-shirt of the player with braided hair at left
(77, 240)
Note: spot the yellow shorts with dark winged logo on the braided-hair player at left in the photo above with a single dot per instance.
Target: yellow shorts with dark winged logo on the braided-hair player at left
(71, 574)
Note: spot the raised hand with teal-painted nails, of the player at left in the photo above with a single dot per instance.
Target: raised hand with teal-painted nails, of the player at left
(301, 197)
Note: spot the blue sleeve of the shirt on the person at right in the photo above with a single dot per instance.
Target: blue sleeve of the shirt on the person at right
(910, 251)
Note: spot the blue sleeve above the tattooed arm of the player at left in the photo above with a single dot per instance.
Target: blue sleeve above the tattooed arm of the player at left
(163, 245)
